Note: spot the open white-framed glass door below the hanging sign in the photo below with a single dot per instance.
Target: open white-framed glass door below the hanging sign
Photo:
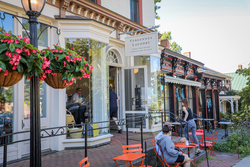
(135, 96)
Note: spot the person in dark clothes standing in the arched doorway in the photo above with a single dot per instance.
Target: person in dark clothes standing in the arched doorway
(113, 101)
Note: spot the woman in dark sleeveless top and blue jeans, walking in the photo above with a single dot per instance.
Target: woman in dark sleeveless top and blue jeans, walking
(190, 123)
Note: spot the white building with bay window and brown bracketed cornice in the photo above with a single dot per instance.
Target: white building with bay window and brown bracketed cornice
(92, 27)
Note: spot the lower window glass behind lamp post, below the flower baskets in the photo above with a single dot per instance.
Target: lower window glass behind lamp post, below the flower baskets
(42, 88)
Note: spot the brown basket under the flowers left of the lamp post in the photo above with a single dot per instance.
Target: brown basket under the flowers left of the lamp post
(10, 79)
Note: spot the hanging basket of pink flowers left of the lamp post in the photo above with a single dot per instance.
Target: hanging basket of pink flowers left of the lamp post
(17, 58)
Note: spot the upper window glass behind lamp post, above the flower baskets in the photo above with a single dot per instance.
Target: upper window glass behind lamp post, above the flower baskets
(43, 39)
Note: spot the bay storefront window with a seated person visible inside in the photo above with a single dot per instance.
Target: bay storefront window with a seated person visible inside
(87, 99)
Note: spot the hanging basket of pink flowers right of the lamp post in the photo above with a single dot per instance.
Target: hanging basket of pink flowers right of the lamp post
(65, 65)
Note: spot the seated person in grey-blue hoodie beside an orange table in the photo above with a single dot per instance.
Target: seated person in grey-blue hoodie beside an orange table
(170, 154)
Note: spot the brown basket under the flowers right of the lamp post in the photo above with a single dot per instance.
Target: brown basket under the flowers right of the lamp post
(55, 81)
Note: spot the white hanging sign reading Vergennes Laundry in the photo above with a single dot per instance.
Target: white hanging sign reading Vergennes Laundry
(141, 45)
